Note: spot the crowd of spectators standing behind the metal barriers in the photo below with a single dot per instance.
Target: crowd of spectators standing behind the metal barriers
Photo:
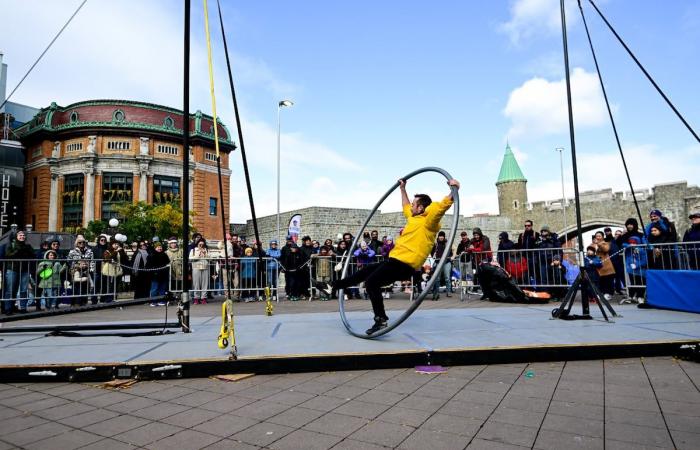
(98, 273)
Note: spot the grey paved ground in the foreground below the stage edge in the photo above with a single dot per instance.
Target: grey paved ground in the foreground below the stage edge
(614, 404)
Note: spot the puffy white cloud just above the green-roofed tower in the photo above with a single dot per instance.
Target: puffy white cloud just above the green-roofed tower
(538, 107)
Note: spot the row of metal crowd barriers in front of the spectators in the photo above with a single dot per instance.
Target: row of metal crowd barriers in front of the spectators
(70, 282)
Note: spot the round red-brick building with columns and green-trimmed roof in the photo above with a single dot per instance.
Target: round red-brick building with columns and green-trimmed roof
(84, 159)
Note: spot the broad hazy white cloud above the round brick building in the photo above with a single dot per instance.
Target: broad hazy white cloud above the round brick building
(109, 51)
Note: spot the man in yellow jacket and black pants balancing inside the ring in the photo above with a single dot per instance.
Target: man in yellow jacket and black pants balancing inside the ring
(412, 248)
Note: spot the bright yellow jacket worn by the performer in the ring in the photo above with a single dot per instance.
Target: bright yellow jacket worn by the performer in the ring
(418, 236)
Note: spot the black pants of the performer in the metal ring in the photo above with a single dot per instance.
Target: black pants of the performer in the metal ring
(375, 277)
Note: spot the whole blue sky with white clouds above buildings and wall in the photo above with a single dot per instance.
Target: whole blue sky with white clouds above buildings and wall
(383, 88)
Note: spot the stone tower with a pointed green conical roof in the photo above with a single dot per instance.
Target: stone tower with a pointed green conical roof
(512, 189)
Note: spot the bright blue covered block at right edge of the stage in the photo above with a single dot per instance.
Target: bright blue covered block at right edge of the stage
(674, 289)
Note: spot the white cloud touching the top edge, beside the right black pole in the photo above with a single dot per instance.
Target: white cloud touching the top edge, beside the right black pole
(530, 18)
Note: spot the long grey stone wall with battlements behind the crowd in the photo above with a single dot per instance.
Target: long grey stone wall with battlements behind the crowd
(598, 208)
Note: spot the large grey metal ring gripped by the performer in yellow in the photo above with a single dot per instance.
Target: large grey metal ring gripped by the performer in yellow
(436, 273)
